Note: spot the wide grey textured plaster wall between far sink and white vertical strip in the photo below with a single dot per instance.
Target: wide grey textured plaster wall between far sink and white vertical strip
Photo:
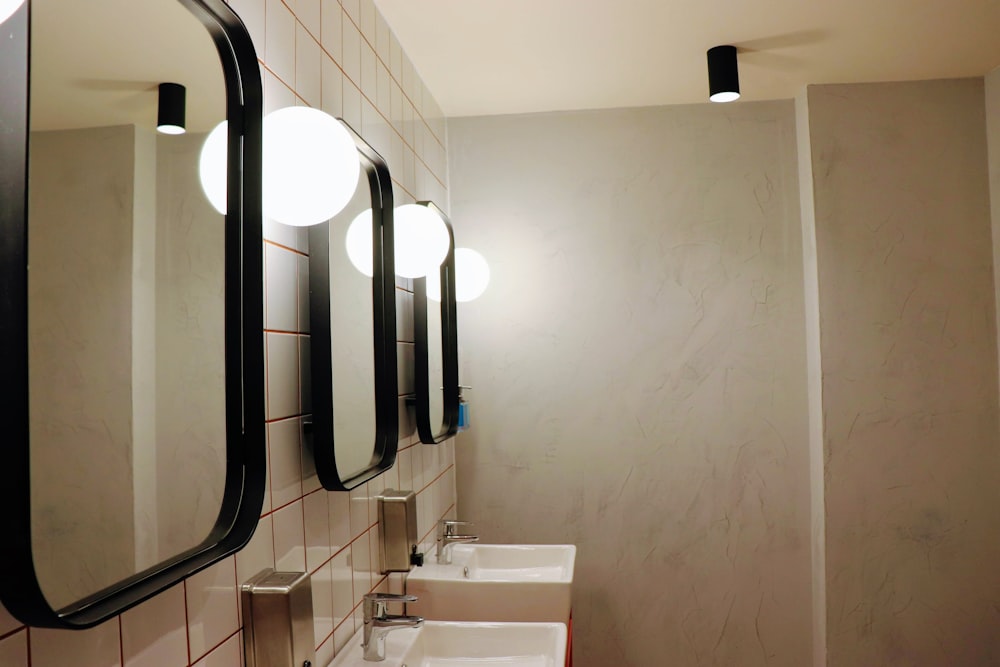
(639, 372)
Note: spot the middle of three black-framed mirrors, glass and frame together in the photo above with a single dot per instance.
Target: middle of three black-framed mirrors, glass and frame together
(352, 312)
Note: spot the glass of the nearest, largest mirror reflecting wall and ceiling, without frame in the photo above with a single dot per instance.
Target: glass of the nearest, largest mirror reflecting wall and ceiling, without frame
(126, 287)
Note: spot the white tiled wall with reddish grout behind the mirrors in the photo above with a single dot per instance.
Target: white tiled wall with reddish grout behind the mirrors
(341, 57)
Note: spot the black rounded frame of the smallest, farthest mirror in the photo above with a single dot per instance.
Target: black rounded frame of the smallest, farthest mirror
(449, 346)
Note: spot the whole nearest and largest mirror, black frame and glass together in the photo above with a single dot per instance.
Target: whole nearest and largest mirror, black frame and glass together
(131, 318)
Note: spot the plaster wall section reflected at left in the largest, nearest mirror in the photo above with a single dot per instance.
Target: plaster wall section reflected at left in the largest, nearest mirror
(80, 345)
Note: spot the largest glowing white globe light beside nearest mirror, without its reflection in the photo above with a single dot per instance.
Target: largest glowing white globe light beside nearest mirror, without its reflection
(311, 166)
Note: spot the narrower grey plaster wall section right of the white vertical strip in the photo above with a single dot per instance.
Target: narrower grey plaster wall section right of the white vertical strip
(910, 365)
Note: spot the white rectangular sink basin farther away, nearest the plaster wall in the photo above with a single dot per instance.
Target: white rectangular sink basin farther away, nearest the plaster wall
(496, 582)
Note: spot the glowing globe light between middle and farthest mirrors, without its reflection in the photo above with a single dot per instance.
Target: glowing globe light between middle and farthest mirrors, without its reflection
(421, 240)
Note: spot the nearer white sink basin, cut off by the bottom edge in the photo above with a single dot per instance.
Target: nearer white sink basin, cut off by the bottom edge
(439, 644)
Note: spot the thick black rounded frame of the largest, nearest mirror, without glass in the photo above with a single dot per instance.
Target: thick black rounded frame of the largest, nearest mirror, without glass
(20, 591)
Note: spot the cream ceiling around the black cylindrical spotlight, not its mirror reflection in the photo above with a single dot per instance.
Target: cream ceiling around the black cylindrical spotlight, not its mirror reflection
(483, 57)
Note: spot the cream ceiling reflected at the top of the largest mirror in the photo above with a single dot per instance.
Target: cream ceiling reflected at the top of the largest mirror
(99, 63)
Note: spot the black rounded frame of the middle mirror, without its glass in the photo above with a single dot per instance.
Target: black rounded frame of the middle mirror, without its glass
(321, 433)
